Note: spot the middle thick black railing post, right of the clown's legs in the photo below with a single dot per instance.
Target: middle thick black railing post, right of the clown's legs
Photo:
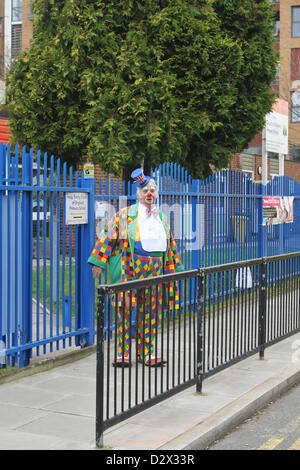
(200, 322)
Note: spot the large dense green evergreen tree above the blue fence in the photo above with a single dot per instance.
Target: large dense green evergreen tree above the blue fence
(156, 80)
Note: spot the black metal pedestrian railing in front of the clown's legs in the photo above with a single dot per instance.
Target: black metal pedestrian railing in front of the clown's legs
(208, 320)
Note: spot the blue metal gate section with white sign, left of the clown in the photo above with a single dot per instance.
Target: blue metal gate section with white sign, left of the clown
(44, 246)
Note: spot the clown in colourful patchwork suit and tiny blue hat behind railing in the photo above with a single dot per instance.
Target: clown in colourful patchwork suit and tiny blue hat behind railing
(137, 244)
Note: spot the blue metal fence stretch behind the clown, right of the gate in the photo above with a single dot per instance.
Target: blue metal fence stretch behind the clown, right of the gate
(218, 220)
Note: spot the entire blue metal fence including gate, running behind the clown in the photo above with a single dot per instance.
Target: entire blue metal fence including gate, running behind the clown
(47, 295)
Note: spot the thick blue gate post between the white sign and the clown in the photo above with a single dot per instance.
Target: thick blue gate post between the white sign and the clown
(87, 282)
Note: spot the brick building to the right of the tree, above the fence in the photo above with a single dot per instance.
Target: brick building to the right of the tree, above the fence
(287, 87)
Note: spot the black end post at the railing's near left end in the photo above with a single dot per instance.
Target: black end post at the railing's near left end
(100, 366)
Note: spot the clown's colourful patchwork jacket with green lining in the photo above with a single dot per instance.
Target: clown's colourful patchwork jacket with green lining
(115, 247)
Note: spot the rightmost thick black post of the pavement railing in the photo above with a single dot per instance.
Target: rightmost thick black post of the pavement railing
(262, 308)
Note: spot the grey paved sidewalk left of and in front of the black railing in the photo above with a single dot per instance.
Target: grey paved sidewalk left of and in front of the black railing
(51, 404)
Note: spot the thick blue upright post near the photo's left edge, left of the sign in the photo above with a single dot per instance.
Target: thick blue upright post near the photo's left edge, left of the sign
(27, 232)
